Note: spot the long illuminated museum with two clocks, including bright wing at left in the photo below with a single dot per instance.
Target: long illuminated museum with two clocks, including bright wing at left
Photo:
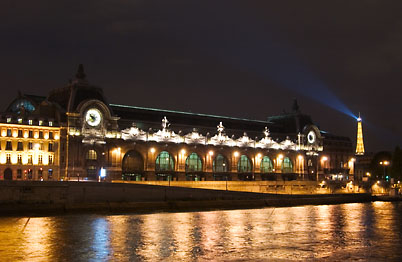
(75, 134)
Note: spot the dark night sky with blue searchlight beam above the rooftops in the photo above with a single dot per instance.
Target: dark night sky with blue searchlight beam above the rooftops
(236, 58)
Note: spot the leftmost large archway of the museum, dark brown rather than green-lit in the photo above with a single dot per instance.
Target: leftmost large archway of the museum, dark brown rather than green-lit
(133, 166)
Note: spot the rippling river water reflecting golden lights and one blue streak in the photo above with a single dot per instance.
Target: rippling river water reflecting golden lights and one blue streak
(358, 232)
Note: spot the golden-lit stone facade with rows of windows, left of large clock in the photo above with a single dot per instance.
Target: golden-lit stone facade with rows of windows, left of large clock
(29, 152)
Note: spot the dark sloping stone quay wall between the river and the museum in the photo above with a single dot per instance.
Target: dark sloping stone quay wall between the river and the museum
(54, 197)
